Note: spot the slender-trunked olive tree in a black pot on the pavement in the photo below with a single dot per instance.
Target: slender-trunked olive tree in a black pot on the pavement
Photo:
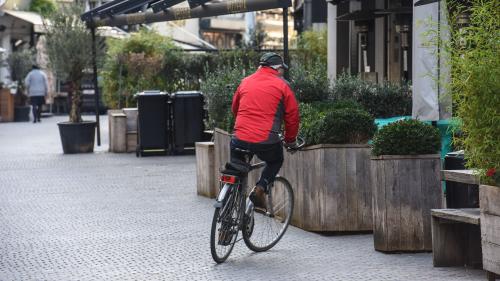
(69, 51)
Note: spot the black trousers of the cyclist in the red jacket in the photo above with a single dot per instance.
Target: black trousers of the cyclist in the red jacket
(272, 154)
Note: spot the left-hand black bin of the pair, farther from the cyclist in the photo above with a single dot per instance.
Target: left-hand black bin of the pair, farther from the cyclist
(152, 123)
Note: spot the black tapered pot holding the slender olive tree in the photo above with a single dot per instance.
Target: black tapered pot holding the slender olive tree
(77, 137)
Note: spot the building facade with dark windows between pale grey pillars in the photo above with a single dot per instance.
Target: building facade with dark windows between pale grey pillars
(385, 40)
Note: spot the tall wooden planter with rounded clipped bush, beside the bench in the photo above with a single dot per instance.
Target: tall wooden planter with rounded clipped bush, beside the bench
(406, 185)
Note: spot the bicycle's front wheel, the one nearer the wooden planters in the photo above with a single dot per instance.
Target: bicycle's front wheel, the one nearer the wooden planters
(262, 231)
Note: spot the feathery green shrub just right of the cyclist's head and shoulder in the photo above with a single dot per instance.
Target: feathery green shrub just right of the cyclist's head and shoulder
(310, 83)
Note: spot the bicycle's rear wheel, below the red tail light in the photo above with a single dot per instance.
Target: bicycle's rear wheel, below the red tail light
(224, 231)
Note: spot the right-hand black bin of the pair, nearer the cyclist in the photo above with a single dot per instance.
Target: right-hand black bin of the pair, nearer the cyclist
(187, 119)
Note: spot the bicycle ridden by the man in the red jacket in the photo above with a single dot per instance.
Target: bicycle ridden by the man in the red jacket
(260, 230)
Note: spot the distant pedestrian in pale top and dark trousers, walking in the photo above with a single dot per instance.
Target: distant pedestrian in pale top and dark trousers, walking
(37, 86)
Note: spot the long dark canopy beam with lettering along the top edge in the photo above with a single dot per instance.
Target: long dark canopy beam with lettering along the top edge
(180, 13)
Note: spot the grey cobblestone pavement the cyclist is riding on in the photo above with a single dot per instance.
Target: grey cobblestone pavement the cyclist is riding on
(105, 216)
